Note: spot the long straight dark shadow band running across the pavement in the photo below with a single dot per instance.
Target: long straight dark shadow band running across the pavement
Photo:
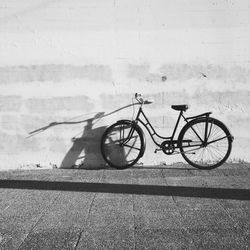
(202, 192)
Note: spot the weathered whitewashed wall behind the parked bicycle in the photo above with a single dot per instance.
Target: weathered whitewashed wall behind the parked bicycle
(67, 61)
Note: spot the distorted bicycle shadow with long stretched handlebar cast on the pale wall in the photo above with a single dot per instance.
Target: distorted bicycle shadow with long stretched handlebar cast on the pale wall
(85, 152)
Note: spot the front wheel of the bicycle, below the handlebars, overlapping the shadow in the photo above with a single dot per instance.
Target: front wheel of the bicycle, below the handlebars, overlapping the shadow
(122, 145)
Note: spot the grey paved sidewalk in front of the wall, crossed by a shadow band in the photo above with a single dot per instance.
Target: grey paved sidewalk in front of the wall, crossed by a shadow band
(175, 207)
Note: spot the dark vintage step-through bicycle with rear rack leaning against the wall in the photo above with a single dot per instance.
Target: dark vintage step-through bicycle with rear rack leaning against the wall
(204, 142)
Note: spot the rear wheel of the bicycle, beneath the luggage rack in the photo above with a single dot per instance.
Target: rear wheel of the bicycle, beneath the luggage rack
(206, 153)
